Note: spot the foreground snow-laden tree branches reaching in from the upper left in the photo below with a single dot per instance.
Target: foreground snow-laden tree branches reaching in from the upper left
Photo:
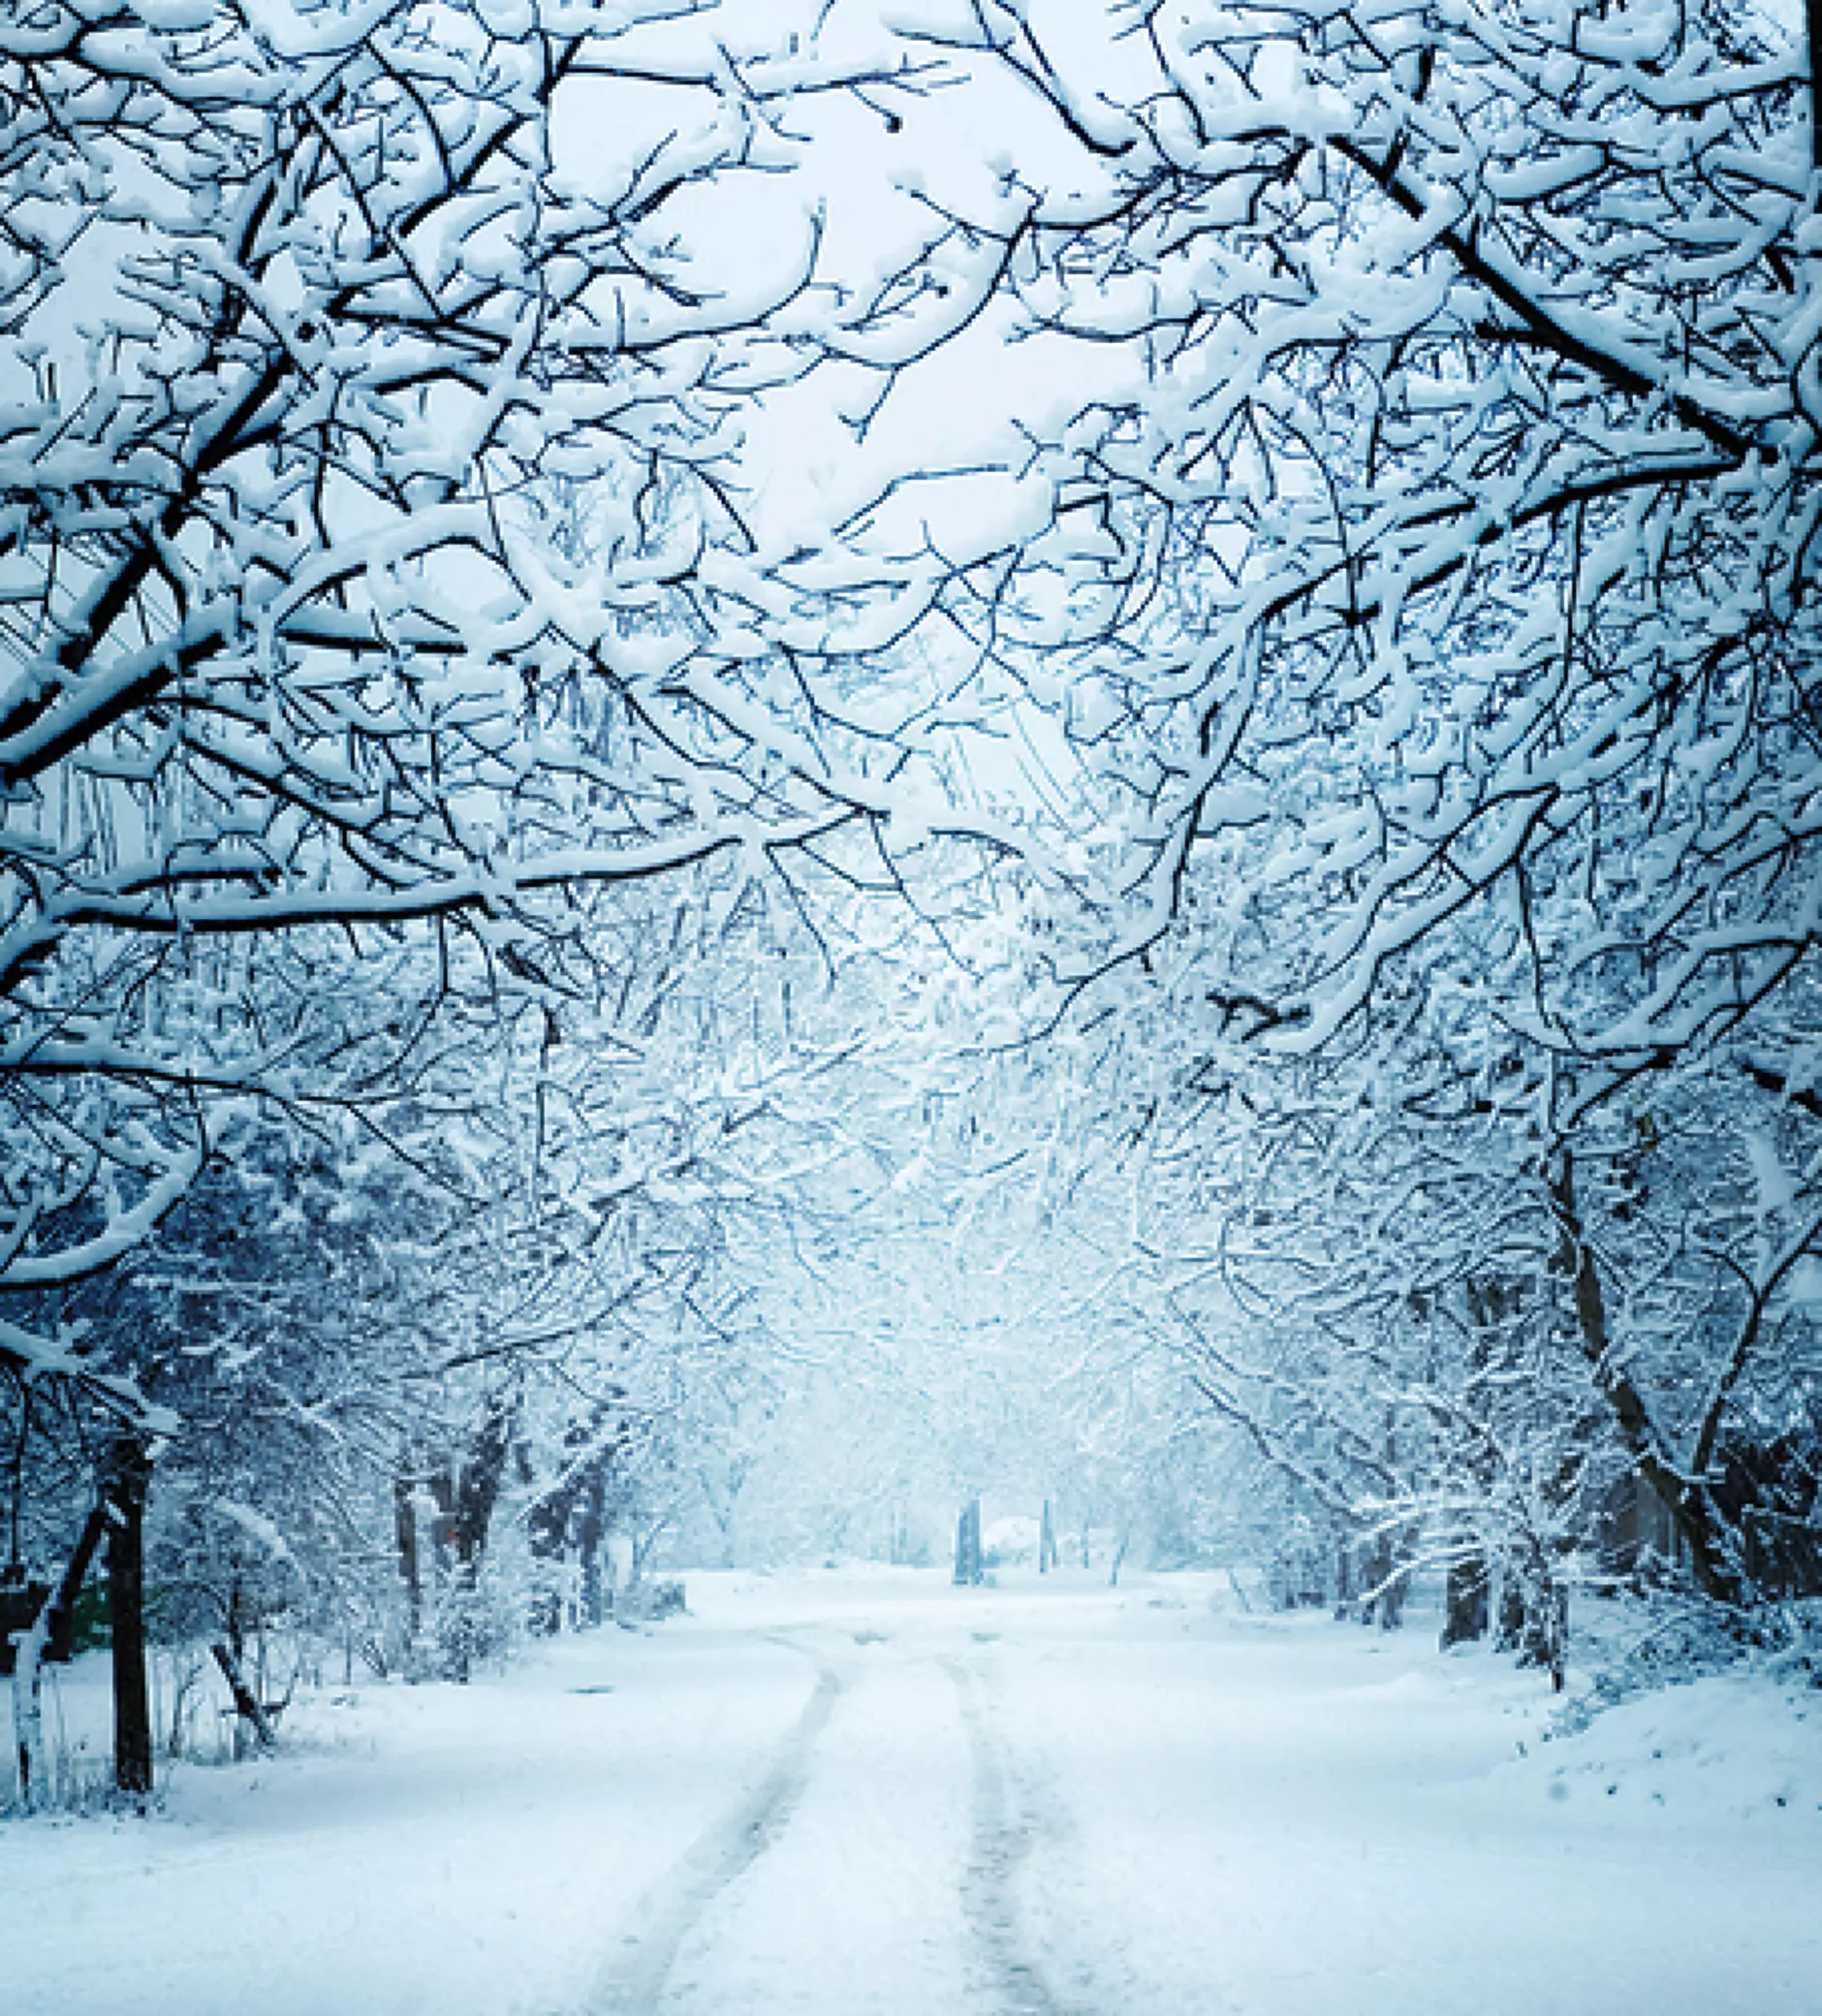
(370, 539)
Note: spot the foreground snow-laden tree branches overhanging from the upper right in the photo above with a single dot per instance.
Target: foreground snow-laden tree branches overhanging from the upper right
(1452, 491)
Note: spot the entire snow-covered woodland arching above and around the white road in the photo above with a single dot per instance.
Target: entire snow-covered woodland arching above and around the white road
(1093, 729)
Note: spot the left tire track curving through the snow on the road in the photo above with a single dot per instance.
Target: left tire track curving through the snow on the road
(636, 1981)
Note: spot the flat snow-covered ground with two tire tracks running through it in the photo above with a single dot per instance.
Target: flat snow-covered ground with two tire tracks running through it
(872, 1795)
